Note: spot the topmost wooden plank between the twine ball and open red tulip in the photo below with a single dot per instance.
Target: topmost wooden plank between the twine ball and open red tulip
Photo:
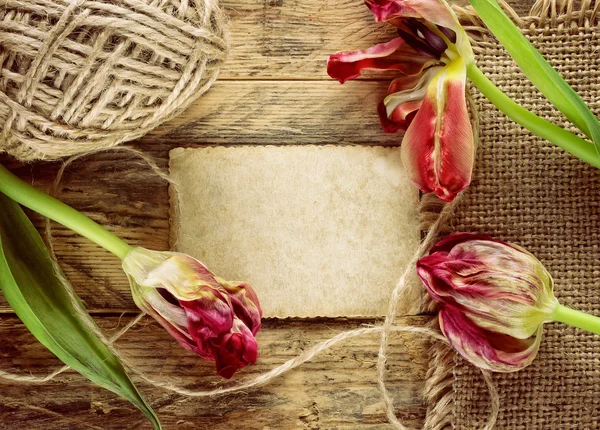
(292, 39)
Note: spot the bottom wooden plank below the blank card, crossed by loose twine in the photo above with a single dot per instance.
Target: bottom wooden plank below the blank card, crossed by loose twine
(335, 390)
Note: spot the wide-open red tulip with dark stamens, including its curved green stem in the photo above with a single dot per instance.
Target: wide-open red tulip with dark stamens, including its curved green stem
(433, 56)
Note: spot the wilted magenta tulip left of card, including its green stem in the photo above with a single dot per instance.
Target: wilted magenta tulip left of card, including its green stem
(216, 319)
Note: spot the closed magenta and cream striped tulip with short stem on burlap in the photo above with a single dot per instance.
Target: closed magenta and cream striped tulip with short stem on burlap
(493, 299)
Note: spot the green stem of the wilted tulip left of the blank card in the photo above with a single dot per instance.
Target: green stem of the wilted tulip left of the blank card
(52, 208)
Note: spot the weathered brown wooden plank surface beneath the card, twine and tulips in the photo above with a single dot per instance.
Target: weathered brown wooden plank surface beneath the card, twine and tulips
(273, 90)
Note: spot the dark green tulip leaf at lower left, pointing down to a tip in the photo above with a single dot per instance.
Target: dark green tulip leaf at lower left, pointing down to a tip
(32, 285)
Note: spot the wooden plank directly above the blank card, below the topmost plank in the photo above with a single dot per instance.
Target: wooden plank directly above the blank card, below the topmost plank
(279, 113)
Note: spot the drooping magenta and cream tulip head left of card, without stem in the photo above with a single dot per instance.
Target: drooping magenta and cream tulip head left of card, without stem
(214, 318)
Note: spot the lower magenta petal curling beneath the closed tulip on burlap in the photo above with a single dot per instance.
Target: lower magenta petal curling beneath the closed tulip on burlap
(486, 349)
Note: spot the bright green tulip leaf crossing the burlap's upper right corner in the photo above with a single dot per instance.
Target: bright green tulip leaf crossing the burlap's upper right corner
(537, 69)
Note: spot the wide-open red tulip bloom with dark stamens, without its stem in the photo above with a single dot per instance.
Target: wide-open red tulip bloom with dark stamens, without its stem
(432, 52)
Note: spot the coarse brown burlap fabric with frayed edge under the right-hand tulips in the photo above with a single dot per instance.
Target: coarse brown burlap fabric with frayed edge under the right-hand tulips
(529, 192)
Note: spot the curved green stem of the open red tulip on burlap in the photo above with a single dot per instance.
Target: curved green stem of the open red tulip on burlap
(580, 148)
